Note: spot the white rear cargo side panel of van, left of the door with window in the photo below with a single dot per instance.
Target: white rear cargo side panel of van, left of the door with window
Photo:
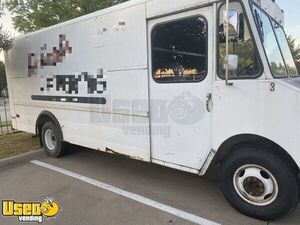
(99, 43)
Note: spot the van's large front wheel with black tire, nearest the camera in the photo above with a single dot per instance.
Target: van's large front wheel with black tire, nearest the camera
(280, 204)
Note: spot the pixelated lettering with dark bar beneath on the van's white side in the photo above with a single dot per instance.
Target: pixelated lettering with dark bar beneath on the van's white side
(80, 87)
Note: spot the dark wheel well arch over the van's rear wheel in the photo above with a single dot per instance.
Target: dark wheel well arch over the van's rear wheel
(44, 117)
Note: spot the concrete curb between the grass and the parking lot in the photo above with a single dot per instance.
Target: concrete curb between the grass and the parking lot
(23, 158)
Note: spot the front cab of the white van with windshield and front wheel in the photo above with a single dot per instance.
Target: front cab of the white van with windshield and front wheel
(262, 94)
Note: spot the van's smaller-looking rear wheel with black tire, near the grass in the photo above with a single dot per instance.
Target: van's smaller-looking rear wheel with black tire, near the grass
(57, 147)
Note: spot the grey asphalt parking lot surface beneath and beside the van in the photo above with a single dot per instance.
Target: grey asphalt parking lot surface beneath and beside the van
(97, 188)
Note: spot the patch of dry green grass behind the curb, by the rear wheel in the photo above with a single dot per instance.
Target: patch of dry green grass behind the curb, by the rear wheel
(17, 143)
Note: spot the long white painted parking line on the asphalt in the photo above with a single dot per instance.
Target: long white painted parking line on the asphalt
(146, 201)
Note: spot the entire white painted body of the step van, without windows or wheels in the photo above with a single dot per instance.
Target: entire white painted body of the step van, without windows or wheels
(112, 48)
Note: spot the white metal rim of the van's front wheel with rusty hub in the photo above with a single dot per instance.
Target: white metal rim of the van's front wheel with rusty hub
(255, 185)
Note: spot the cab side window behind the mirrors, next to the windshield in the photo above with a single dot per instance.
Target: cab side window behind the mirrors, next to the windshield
(241, 44)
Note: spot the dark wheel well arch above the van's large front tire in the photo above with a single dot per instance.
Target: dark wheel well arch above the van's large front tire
(237, 141)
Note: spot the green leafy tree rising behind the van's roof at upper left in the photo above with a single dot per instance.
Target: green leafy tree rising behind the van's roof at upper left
(31, 15)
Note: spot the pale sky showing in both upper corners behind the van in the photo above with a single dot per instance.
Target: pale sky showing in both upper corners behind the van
(290, 7)
